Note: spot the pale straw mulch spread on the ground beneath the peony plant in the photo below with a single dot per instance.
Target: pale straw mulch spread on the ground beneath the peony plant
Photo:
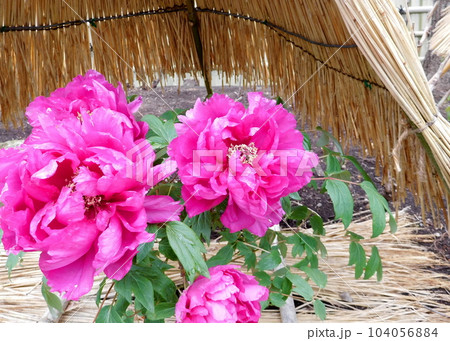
(415, 285)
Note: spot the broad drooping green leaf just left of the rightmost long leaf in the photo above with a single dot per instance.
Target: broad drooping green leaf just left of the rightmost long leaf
(342, 200)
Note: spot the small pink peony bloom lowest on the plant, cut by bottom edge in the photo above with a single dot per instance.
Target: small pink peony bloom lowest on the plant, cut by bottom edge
(228, 296)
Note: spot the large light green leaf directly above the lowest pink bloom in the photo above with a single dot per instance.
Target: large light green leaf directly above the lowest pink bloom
(188, 249)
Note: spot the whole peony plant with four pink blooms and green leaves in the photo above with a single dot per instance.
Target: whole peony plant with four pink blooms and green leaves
(97, 192)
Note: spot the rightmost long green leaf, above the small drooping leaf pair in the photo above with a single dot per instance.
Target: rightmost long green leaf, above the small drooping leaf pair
(378, 207)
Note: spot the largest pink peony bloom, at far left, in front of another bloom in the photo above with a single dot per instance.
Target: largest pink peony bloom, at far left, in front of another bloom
(68, 193)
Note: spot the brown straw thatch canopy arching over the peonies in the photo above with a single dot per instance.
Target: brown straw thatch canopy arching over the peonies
(351, 66)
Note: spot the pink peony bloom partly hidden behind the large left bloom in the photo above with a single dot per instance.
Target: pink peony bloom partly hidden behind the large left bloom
(84, 94)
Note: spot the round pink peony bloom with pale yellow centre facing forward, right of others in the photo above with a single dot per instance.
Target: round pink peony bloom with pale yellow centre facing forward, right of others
(253, 157)
